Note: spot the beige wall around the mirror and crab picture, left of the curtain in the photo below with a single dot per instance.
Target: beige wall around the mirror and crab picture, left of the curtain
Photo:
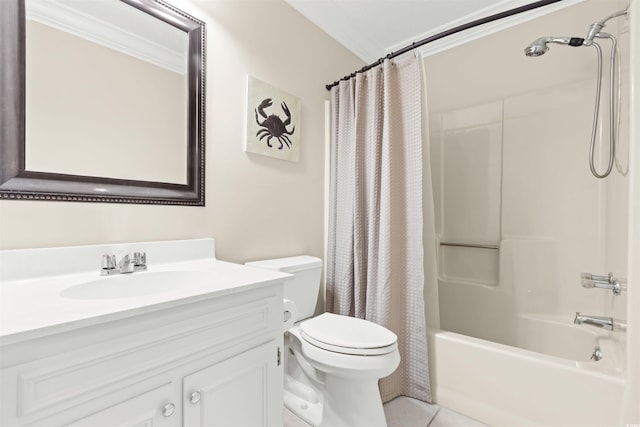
(255, 206)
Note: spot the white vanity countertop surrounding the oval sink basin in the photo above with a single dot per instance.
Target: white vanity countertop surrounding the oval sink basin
(36, 306)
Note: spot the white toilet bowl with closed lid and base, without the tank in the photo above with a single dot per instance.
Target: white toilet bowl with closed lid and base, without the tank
(346, 376)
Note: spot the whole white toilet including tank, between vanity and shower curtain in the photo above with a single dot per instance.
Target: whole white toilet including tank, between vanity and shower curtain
(332, 363)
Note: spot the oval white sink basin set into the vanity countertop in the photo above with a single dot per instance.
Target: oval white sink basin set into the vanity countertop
(137, 284)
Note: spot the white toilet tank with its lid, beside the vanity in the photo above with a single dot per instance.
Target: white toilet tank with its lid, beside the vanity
(303, 288)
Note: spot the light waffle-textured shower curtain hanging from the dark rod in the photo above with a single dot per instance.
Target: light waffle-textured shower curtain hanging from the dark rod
(375, 253)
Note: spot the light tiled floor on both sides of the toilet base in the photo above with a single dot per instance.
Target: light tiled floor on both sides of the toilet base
(407, 412)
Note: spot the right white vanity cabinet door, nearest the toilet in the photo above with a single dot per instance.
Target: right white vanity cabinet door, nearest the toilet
(243, 391)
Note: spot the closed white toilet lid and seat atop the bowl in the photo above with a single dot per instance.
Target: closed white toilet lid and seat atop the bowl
(348, 335)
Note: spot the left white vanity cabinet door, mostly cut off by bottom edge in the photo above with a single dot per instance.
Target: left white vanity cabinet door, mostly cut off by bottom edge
(159, 407)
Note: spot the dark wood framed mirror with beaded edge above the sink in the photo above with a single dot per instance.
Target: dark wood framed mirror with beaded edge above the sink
(111, 110)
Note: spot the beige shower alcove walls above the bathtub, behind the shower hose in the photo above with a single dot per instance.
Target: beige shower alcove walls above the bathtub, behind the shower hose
(513, 146)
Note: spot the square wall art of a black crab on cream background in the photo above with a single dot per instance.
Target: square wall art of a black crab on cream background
(273, 121)
